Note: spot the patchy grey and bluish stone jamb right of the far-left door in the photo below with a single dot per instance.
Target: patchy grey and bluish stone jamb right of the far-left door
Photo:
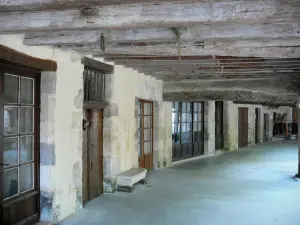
(47, 143)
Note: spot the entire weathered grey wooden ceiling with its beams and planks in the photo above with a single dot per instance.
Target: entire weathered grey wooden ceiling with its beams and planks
(202, 49)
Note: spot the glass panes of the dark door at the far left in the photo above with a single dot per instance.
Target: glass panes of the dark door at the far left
(19, 135)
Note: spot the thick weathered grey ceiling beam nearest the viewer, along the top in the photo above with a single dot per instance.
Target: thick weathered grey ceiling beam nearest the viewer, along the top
(162, 15)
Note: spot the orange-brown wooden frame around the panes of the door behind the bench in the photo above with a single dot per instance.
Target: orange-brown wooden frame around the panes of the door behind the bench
(142, 156)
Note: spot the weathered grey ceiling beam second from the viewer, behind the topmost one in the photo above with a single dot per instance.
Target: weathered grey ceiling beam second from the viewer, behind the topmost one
(230, 35)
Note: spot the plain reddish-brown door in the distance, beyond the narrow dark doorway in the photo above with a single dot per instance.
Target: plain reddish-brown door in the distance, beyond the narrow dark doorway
(243, 127)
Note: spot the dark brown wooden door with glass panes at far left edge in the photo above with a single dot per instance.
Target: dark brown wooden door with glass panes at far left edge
(19, 145)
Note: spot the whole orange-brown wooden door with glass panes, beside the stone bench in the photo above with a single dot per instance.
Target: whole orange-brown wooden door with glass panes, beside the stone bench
(145, 134)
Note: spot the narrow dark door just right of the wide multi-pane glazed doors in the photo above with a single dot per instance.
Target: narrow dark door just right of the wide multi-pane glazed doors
(219, 125)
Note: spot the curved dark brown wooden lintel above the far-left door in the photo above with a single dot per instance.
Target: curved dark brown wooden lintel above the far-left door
(20, 58)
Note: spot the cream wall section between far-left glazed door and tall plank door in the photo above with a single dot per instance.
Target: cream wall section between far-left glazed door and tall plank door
(60, 130)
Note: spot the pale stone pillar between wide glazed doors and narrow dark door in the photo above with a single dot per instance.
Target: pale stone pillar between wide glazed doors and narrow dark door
(209, 128)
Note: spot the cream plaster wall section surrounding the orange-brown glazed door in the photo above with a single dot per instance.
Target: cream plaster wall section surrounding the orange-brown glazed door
(124, 89)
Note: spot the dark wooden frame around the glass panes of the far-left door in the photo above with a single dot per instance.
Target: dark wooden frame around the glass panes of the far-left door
(22, 71)
